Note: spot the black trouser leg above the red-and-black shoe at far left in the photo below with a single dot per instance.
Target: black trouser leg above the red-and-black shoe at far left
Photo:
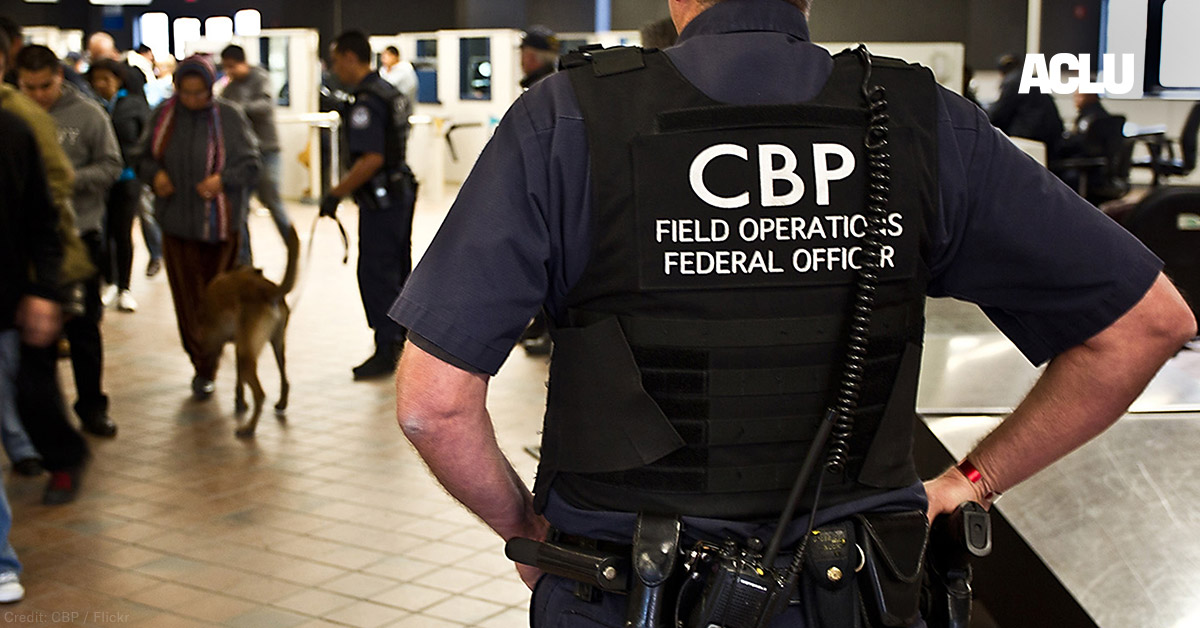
(43, 411)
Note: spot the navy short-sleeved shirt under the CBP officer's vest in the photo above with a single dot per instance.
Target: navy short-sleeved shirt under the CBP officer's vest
(1049, 270)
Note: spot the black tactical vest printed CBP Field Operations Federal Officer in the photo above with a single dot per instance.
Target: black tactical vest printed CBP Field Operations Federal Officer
(705, 338)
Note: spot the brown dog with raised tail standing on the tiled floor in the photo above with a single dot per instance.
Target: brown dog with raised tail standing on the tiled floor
(244, 308)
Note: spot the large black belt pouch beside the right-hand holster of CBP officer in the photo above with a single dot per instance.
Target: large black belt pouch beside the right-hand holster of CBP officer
(895, 551)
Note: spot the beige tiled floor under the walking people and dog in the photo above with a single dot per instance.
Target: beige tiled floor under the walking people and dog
(328, 519)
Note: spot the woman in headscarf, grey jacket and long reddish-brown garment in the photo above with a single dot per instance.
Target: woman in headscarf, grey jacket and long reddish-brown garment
(199, 157)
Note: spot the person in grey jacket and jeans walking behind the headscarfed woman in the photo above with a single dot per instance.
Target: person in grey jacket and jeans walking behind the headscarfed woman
(250, 87)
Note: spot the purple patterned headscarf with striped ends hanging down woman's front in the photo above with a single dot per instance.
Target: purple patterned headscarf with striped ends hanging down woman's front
(217, 211)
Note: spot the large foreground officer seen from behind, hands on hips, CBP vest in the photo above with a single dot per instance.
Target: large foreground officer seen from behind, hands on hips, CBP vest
(693, 220)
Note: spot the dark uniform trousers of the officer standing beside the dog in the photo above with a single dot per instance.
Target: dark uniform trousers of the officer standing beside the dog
(386, 259)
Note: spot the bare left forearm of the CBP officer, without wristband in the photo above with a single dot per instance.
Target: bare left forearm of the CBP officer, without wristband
(442, 411)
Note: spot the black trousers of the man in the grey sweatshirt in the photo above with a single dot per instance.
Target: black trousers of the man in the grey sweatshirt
(83, 334)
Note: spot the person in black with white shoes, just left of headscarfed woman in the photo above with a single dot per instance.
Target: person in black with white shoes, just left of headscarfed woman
(129, 110)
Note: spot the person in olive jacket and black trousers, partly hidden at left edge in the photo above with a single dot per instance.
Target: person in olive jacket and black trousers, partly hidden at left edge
(40, 404)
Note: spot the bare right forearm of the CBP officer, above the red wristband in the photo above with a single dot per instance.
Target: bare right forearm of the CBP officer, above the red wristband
(1085, 390)
